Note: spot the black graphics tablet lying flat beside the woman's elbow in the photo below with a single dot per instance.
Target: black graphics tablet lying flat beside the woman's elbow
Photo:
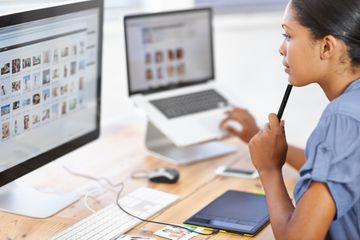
(233, 211)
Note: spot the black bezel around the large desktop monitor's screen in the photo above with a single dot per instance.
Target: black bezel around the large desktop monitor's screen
(38, 161)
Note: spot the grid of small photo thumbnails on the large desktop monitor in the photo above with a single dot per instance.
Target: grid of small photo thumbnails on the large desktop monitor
(41, 87)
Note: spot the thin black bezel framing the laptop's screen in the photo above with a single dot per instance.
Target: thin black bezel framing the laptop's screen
(180, 85)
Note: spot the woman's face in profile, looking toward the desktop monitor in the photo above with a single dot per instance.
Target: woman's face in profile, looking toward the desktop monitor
(300, 51)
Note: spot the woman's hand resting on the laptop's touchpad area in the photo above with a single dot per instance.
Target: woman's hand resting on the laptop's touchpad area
(245, 119)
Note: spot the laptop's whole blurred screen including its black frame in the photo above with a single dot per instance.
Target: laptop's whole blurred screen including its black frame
(168, 50)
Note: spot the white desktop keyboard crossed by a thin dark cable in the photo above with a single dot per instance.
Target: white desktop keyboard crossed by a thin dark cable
(111, 222)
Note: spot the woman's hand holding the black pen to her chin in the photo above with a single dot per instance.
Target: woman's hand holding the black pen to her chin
(268, 147)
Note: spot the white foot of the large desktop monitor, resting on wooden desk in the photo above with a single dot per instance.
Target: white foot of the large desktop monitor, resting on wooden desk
(30, 202)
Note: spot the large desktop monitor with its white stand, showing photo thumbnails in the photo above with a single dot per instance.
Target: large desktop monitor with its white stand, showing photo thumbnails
(50, 61)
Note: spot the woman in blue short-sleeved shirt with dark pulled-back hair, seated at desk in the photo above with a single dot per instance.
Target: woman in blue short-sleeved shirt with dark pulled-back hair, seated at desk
(322, 45)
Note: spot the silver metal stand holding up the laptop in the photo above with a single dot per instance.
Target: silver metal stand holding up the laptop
(162, 147)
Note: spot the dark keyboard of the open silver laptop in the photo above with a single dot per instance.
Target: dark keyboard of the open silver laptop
(182, 105)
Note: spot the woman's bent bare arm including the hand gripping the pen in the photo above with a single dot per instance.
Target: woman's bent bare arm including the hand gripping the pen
(315, 210)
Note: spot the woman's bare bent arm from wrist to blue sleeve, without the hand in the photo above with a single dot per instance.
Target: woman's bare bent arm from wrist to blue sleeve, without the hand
(311, 218)
